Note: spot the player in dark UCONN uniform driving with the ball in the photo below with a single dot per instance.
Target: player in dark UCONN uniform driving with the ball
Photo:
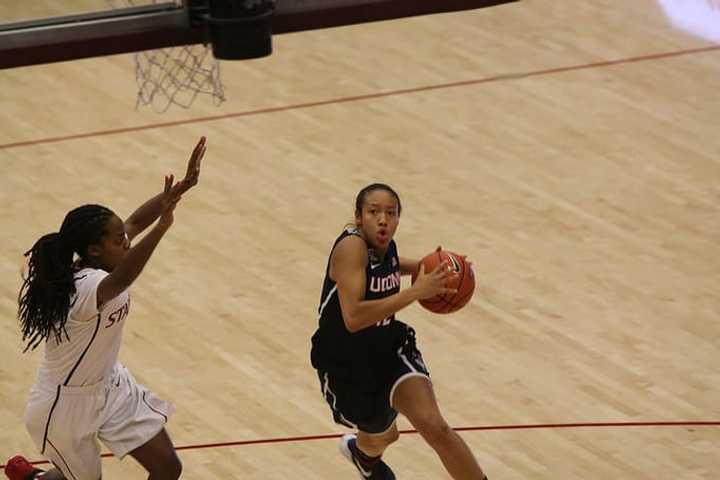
(367, 361)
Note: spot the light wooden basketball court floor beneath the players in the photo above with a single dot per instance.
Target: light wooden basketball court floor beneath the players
(570, 148)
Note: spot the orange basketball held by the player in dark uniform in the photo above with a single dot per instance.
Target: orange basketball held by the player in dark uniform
(462, 279)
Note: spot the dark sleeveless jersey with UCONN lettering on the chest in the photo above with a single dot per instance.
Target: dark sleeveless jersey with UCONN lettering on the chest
(359, 356)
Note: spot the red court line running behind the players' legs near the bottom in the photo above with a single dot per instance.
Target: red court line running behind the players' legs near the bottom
(538, 426)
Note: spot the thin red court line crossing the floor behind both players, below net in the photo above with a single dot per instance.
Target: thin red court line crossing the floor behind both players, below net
(332, 101)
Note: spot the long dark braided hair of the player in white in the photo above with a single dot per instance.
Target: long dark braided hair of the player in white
(44, 298)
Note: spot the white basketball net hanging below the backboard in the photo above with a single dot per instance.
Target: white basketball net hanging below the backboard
(175, 75)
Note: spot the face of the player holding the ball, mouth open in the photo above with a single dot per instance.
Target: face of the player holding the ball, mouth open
(379, 218)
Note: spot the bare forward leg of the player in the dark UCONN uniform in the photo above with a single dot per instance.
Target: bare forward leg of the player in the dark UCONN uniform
(414, 397)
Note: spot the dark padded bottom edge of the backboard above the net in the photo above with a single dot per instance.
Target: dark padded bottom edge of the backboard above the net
(43, 31)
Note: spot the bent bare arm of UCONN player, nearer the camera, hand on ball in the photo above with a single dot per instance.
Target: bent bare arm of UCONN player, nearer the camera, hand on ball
(347, 268)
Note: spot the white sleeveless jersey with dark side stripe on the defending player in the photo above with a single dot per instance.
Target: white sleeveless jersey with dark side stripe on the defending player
(90, 353)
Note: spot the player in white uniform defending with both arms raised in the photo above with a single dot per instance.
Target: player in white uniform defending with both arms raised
(79, 307)
